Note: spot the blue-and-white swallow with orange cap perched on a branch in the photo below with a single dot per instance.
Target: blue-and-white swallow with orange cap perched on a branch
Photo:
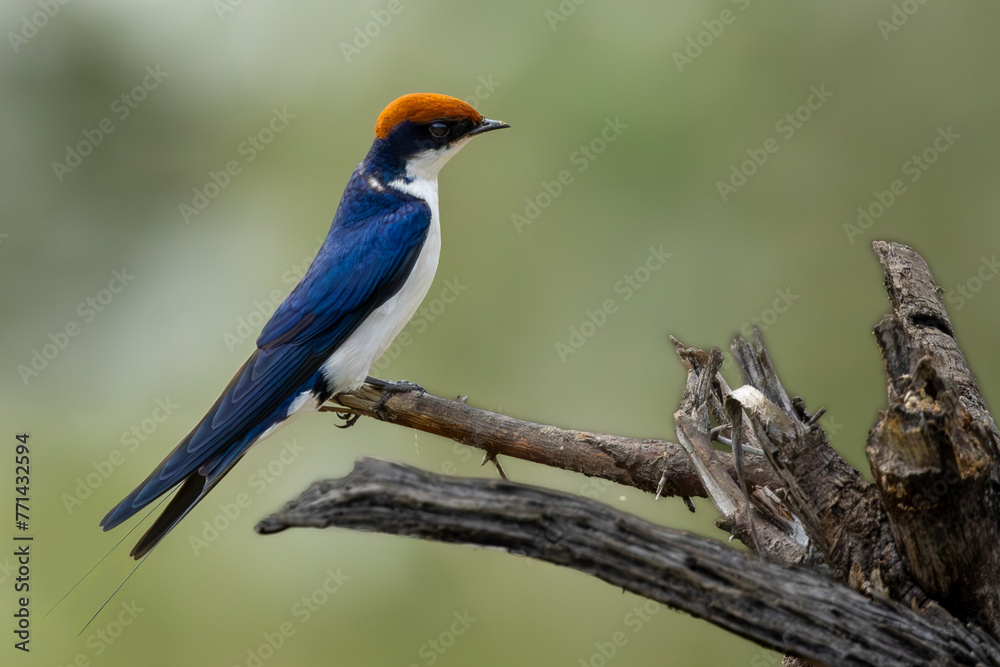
(365, 283)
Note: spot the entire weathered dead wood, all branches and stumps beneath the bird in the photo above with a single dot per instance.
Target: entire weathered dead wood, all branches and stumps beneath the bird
(900, 571)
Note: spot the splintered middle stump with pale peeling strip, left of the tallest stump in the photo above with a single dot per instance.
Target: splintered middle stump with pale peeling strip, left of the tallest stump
(820, 493)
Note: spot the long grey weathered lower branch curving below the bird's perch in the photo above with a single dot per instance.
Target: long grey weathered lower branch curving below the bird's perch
(788, 609)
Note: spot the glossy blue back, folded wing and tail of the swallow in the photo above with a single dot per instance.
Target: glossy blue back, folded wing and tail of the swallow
(372, 246)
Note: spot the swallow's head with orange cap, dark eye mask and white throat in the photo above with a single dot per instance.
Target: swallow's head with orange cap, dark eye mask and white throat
(416, 134)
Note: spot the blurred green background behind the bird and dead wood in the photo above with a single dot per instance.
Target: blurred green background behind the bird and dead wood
(807, 111)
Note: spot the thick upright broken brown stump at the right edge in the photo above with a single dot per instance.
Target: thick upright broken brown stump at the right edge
(934, 450)
